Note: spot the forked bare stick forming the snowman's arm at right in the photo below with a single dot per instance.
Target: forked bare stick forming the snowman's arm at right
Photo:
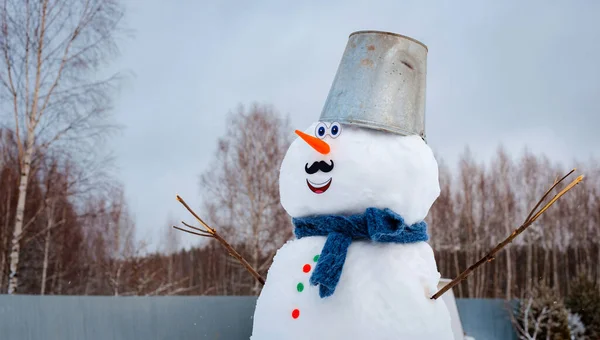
(491, 255)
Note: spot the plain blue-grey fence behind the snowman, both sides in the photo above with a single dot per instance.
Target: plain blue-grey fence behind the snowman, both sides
(177, 317)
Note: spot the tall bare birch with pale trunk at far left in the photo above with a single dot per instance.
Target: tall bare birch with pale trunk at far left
(51, 52)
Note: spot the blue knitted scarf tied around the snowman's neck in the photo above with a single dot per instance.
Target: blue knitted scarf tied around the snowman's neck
(374, 225)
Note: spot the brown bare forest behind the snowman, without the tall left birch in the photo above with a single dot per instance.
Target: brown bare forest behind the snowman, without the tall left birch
(83, 242)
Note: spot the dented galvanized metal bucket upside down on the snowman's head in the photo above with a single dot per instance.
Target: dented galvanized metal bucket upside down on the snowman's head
(380, 84)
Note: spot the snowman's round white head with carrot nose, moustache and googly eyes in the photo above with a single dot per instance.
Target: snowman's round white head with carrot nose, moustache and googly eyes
(335, 169)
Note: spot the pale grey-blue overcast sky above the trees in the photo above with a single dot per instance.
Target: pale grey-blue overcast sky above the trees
(512, 72)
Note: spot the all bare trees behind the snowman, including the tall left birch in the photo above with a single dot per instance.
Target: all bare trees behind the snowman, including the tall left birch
(65, 227)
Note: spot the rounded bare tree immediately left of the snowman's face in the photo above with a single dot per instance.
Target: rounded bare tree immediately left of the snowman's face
(241, 188)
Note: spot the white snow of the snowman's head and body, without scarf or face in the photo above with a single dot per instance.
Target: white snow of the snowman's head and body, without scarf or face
(385, 288)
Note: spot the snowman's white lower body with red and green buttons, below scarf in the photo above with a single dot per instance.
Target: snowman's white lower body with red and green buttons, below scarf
(383, 294)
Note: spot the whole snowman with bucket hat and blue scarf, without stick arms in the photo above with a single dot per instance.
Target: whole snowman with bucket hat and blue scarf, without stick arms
(358, 185)
